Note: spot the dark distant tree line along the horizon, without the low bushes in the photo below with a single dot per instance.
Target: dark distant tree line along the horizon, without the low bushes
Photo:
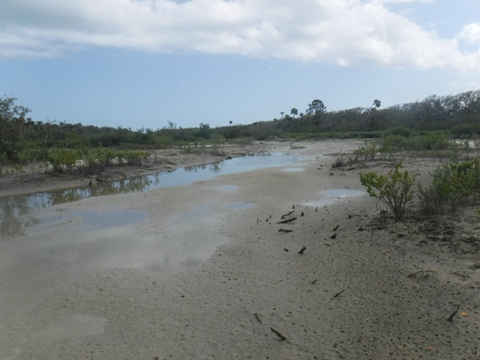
(458, 114)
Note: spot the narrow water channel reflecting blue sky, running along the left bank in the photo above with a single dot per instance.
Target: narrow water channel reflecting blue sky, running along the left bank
(14, 210)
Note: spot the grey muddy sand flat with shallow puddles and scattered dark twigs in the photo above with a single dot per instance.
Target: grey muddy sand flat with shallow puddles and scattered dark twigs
(204, 272)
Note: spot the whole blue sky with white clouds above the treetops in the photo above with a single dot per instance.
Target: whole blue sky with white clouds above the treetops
(144, 63)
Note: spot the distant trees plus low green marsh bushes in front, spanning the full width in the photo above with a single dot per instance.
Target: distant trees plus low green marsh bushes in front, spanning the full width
(423, 128)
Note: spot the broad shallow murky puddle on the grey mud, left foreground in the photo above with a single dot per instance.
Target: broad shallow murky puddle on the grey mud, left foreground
(63, 246)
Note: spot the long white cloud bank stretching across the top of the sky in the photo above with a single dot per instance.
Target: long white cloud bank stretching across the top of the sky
(343, 32)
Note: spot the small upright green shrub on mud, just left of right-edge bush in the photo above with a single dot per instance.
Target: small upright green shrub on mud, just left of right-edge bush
(394, 189)
